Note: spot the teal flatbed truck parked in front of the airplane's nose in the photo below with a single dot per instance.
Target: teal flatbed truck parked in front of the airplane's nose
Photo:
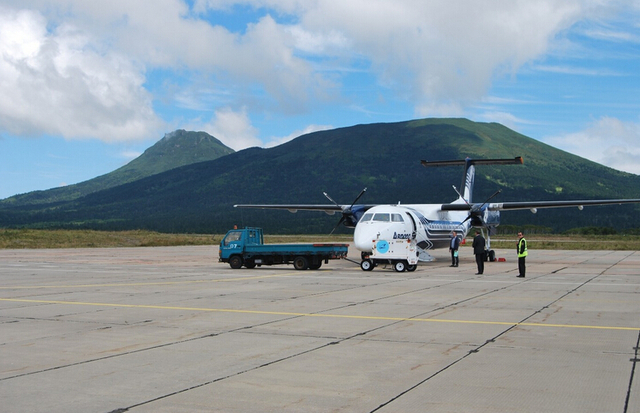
(246, 248)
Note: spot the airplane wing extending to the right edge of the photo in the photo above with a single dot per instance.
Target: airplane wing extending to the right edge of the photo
(533, 205)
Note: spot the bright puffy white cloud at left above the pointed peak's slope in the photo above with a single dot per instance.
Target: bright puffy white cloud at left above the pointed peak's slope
(58, 82)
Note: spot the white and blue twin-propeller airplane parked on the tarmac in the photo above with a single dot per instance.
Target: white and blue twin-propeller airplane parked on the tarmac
(430, 226)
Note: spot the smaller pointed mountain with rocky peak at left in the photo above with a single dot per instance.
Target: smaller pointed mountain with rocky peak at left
(175, 149)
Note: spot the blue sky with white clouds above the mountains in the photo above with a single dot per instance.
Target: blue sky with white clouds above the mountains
(85, 87)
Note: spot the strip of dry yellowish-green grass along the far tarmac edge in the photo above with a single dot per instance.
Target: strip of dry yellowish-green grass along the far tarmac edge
(29, 238)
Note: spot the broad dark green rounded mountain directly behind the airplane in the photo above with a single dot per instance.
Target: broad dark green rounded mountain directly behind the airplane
(383, 157)
